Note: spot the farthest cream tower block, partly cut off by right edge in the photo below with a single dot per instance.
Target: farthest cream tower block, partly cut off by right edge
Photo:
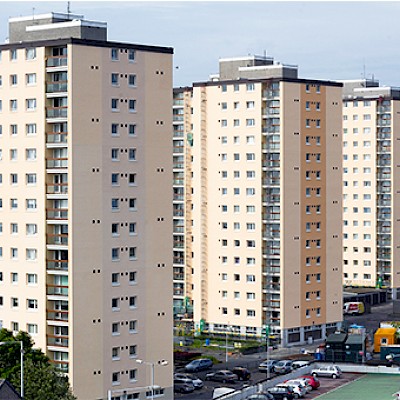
(371, 191)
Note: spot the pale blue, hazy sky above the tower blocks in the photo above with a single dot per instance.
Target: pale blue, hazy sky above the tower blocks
(327, 40)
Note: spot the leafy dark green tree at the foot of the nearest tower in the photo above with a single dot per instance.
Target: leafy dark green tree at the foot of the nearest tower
(41, 380)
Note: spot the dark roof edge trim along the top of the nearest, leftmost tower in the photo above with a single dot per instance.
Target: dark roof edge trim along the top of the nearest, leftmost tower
(86, 42)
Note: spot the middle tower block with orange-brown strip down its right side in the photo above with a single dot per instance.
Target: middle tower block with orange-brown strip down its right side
(264, 227)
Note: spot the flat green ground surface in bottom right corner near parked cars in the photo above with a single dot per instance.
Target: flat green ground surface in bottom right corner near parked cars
(369, 387)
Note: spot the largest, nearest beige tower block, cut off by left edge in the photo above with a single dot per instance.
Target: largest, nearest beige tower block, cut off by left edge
(86, 203)
